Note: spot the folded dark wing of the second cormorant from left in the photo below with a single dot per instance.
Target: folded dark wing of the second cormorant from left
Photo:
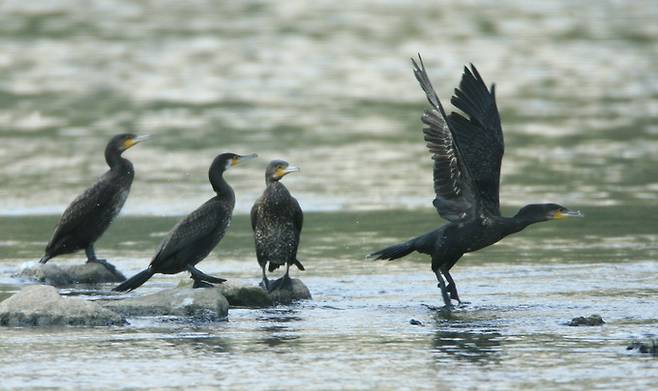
(194, 228)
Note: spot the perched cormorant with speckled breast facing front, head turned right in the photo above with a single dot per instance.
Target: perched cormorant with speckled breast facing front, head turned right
(277, 220)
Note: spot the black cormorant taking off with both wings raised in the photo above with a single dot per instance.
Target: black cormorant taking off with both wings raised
(467, 153)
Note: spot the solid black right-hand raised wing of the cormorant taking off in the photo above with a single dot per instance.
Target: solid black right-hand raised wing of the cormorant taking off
(479, 137)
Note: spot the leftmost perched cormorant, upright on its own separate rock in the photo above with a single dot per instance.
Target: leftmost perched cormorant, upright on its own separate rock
(89, 215)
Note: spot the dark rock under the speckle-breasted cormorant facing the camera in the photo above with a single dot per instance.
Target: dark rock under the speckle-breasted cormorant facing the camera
(257, 297)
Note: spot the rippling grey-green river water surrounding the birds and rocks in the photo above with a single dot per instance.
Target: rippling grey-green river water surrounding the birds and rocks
(328, 87)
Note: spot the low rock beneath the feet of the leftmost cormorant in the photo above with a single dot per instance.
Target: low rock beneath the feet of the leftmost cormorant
(86, 273)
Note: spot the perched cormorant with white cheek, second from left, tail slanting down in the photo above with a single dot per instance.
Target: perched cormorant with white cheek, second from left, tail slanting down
(194, 237)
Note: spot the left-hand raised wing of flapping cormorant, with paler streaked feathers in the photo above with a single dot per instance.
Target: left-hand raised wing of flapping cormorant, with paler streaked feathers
(455, 199)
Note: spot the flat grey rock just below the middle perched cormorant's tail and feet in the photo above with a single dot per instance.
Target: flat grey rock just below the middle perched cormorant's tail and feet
(202, 303)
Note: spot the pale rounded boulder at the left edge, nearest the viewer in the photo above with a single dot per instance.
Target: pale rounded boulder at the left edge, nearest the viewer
(41, 305)
